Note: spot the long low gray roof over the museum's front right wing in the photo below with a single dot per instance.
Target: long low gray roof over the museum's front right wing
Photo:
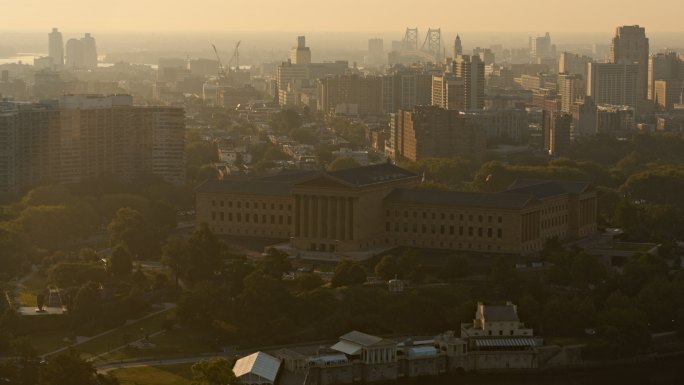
(471, 199)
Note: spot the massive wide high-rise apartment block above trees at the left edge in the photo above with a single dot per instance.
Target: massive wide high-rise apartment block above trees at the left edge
(84, 136)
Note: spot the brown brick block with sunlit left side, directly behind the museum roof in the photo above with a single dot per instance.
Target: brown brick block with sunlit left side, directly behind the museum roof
(431, 131)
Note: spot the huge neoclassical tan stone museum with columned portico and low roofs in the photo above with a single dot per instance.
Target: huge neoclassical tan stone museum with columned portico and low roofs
(375, 207)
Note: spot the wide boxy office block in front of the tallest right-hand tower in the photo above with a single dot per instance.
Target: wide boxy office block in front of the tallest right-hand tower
(615, 84)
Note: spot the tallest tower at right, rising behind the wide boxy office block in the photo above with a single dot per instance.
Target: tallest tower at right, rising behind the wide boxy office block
(630, 46)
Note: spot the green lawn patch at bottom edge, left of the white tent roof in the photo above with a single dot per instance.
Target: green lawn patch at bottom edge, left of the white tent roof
(179, 374)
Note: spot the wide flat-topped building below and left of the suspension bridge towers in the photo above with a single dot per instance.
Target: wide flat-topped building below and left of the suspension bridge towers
(353, 94)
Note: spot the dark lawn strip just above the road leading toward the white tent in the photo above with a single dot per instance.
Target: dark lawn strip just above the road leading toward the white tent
(177, 343)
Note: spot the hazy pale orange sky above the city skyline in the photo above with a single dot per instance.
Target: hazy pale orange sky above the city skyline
(341, 15)
